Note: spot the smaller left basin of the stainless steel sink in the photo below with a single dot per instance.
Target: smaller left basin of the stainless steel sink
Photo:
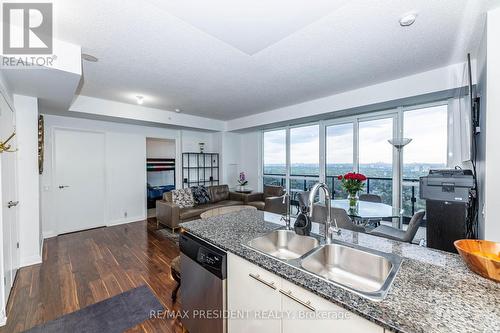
(284, 244)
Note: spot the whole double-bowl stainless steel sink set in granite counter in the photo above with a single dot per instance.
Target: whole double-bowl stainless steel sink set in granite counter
(364, 271)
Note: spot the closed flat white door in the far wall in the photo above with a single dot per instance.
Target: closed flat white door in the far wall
(79, 174)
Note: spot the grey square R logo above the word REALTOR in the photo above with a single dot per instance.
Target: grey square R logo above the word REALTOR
(27, 28)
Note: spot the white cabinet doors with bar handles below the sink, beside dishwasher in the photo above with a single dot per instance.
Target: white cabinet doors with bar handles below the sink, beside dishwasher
(282, 306)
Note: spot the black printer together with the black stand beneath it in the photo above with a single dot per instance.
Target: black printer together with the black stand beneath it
(448, 197)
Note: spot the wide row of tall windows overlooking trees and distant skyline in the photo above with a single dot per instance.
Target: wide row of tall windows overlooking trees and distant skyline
(299, 156)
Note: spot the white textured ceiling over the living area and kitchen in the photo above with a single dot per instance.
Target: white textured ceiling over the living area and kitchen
(226, 59)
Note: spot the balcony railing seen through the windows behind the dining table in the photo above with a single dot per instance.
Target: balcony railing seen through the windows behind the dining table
(381, 186)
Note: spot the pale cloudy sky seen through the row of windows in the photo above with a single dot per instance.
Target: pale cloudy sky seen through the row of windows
(427, 127)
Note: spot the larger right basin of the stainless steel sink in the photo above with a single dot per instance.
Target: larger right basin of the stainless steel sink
(365, 271)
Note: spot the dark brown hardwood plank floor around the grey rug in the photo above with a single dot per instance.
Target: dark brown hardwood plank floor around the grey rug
(86, 267)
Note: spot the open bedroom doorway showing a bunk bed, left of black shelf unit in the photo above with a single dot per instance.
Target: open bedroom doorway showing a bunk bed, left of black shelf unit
(160, 170)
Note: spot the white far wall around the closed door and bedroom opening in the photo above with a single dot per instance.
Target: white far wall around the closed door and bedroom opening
(125, 165)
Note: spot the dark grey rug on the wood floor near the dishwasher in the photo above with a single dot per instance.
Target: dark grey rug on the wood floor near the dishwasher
(113, 315)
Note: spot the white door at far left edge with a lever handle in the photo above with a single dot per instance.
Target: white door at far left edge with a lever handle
(8, 198)
